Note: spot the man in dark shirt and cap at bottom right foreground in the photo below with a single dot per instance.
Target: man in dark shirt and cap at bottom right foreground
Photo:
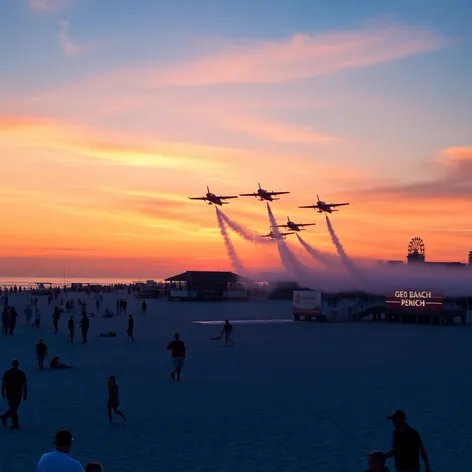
(407, 445)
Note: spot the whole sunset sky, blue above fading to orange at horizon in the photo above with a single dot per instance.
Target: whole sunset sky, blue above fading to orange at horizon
(113, 112)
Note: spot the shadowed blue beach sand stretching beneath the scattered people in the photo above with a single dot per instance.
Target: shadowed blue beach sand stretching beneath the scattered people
(292, 396)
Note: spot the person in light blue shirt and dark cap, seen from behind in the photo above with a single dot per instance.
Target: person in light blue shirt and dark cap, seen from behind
(60, 460)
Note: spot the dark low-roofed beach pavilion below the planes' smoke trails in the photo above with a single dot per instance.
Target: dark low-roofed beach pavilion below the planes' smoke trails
(207, 285)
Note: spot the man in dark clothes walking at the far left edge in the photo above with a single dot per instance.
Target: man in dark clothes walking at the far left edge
(13, 389)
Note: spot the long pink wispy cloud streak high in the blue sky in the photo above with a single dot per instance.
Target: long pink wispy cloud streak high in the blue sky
(303, 56)
